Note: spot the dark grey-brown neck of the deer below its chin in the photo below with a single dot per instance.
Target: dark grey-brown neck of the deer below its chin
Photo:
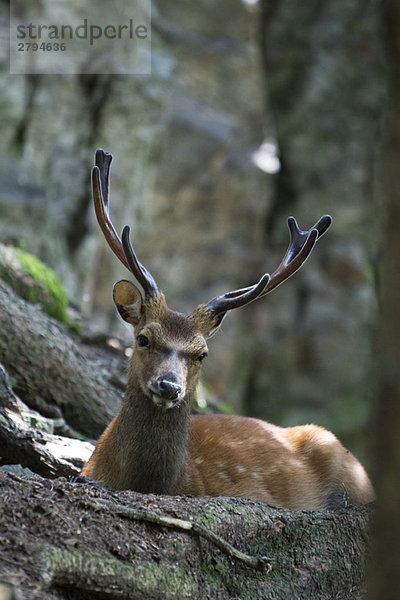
(153, 443)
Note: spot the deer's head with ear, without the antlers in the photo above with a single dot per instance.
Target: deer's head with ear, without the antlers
(169, 346)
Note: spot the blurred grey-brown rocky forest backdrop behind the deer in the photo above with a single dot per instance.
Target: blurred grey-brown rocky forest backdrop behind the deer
(254, 111)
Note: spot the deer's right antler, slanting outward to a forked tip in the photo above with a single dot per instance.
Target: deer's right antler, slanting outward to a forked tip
(300, 247)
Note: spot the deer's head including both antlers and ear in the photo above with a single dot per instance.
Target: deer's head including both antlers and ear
(171, 346)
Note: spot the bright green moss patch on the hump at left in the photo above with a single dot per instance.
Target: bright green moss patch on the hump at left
(56, 305)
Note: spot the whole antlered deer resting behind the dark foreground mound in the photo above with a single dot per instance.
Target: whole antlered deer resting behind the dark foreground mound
(155, 445)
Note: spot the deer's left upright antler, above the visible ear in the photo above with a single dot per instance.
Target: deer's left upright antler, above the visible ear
(123, 250)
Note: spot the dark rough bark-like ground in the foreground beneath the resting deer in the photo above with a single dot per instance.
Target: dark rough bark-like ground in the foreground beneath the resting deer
(128, 545)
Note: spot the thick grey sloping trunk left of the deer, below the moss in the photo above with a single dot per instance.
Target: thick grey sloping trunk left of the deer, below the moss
(52, 372)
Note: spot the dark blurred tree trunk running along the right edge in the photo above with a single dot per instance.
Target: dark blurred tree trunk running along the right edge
(384, 573)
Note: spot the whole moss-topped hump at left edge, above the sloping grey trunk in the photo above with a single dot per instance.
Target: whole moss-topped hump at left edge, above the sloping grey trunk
(35, 282)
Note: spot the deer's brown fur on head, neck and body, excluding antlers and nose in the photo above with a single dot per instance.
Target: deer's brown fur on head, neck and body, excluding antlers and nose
(151, 448)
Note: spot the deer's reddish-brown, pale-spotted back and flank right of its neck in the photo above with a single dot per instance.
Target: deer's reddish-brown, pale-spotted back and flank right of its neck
(297, 467)
